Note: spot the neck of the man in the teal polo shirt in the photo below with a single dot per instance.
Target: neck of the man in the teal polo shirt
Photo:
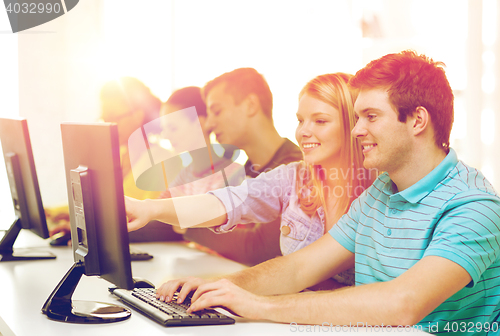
(421, 165)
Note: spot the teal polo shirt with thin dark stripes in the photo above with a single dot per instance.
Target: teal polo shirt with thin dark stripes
(454, 213)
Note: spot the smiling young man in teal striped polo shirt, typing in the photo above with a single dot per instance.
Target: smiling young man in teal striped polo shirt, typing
(424, 238)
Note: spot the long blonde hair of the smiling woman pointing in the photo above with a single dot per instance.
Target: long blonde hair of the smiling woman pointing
(353, 179)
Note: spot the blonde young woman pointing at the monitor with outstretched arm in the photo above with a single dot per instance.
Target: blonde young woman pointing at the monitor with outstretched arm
(310, 195)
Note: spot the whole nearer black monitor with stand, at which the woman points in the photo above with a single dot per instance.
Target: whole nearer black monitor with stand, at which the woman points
(98, 223)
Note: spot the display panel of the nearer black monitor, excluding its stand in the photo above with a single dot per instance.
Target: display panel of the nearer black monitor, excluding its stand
(96, 202)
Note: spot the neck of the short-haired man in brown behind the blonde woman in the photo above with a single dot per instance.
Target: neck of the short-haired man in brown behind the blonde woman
(261, 147)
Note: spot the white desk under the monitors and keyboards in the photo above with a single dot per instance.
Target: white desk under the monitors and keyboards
(26, 285)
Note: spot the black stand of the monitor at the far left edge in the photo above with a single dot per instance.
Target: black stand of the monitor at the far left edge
(7, 252)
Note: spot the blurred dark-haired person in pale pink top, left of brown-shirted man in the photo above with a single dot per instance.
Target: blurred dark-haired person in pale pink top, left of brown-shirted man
(204, 164)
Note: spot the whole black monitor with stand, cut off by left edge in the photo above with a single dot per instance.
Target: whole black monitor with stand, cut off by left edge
(24, 189)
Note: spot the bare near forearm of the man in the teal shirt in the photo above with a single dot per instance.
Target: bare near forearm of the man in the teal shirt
(405, 300)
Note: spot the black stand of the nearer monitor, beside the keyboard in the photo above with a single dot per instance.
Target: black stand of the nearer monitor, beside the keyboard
(60, 306)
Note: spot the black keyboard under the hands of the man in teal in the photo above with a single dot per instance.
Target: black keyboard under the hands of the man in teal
(169, 313)
